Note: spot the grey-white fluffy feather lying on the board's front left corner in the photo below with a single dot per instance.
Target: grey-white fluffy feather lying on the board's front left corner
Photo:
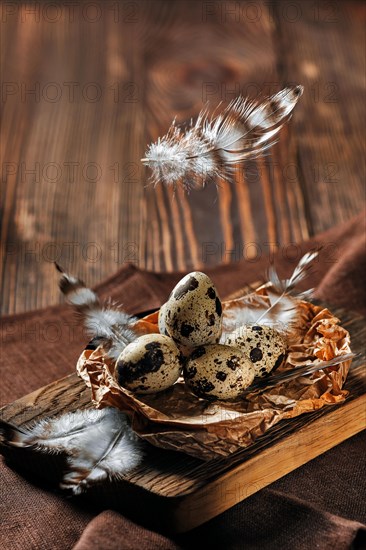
(99, 444)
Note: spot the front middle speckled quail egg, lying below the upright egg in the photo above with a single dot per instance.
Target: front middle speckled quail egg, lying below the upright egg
(217, 371)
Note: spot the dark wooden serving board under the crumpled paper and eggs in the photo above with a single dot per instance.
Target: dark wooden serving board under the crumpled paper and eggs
(174, 492)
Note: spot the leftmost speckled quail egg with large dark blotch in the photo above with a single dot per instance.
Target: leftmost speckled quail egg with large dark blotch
(150, 364)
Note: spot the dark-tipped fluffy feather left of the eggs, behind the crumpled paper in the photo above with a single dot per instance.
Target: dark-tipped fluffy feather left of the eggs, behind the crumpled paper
(108, 324)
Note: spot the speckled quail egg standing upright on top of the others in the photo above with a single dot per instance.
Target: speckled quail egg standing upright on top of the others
(193, 313)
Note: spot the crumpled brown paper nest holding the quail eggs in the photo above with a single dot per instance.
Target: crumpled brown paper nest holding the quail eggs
(176, 419)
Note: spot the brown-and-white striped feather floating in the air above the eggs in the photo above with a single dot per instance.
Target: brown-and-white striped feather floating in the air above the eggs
(212, 146)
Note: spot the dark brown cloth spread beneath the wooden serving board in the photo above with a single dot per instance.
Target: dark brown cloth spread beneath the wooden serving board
(320, 505)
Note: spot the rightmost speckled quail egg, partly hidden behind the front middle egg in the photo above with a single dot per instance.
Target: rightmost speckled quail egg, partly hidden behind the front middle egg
(264, 346)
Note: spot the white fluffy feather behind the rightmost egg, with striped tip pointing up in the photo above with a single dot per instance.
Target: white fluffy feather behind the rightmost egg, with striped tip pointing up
(281, 311)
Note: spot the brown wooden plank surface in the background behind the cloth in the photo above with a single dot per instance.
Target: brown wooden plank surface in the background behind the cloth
(86, 87)
